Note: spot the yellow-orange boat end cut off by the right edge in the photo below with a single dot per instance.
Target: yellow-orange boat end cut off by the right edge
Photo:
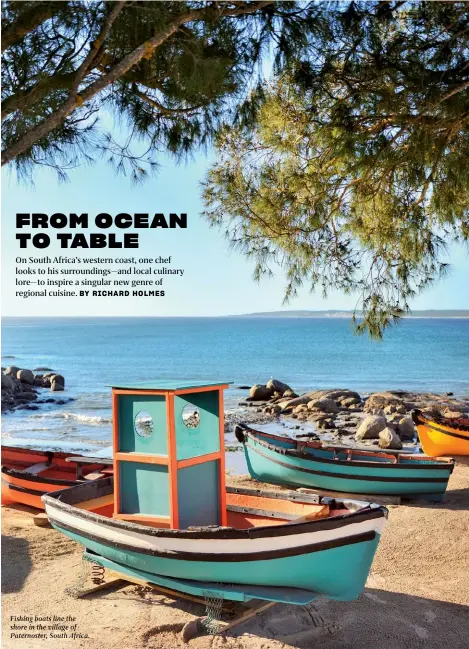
(442, 436)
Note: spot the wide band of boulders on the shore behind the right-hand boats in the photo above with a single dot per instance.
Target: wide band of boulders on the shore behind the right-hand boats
(382, 418)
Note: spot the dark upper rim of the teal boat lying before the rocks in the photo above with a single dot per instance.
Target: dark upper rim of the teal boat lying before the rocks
(436, 463)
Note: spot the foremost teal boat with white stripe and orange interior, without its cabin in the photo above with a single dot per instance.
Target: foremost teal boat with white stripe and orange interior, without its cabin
(271, 541)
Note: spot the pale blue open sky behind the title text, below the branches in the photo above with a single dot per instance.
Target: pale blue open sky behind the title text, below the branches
(217, 281)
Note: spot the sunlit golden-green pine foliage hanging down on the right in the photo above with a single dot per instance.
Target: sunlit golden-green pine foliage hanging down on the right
(355, 177)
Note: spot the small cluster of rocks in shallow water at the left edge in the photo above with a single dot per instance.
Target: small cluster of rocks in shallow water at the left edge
(21, 388)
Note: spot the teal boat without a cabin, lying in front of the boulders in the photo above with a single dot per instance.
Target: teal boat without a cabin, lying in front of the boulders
(282, 460)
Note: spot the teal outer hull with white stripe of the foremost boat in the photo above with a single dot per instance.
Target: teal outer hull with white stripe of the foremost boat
(331, 557)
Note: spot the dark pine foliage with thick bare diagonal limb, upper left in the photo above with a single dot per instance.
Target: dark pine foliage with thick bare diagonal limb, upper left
(168, 73)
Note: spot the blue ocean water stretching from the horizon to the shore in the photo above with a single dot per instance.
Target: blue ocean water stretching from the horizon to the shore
(307, 353)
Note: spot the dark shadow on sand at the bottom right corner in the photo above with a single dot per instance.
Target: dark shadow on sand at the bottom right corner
(377, 619)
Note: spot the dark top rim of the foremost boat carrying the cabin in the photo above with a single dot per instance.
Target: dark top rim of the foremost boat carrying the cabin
(366, 511)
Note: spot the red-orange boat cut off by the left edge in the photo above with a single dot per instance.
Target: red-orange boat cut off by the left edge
(28, 474)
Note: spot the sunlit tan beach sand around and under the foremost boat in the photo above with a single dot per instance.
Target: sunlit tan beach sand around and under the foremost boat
(417, 594)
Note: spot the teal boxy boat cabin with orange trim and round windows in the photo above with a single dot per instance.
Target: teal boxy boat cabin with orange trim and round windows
(169, 453)
